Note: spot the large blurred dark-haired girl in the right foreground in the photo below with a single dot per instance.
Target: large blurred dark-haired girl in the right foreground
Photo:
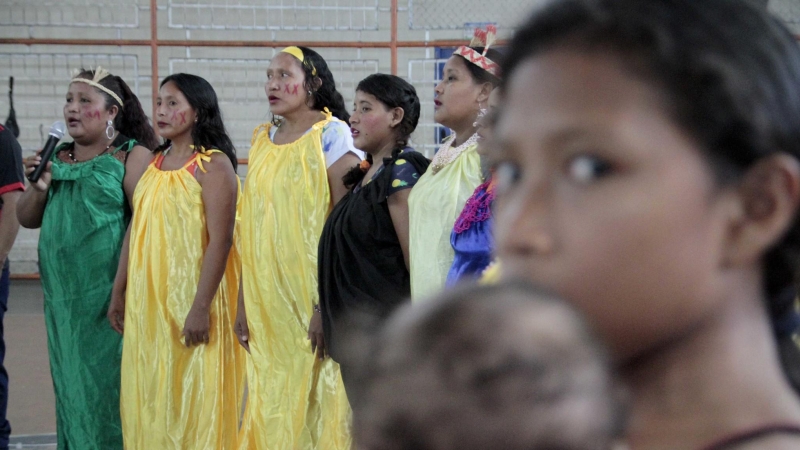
(648, 172)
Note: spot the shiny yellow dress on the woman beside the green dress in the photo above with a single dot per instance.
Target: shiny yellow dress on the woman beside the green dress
(173, 397)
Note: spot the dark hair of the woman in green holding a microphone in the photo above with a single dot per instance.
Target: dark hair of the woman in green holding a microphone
(131, 120)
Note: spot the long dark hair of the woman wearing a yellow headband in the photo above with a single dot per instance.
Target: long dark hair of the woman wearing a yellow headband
(324, 95)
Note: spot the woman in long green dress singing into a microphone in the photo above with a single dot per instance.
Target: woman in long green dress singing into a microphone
(80, 205)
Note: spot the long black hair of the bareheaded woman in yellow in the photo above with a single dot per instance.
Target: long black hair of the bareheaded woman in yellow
(209, 131)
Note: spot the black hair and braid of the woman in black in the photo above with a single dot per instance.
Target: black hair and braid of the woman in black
(393, 92)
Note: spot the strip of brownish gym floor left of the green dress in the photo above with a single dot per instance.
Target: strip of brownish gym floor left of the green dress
(31, 404)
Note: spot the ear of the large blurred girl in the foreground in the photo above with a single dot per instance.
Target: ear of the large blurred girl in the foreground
(768, 198)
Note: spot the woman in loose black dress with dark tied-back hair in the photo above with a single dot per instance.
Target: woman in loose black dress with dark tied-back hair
(363, 251)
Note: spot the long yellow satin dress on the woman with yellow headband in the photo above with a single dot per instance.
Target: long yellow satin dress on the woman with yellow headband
(295, 401)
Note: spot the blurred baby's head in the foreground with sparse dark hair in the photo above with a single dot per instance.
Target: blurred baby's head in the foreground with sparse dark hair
(503, 367)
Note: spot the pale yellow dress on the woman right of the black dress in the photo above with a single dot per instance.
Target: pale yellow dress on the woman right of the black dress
(433, 207)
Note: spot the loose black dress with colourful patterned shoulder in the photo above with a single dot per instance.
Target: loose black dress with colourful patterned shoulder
(362, 273)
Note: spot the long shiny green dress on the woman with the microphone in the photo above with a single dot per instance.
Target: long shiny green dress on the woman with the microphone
(83, 227)
